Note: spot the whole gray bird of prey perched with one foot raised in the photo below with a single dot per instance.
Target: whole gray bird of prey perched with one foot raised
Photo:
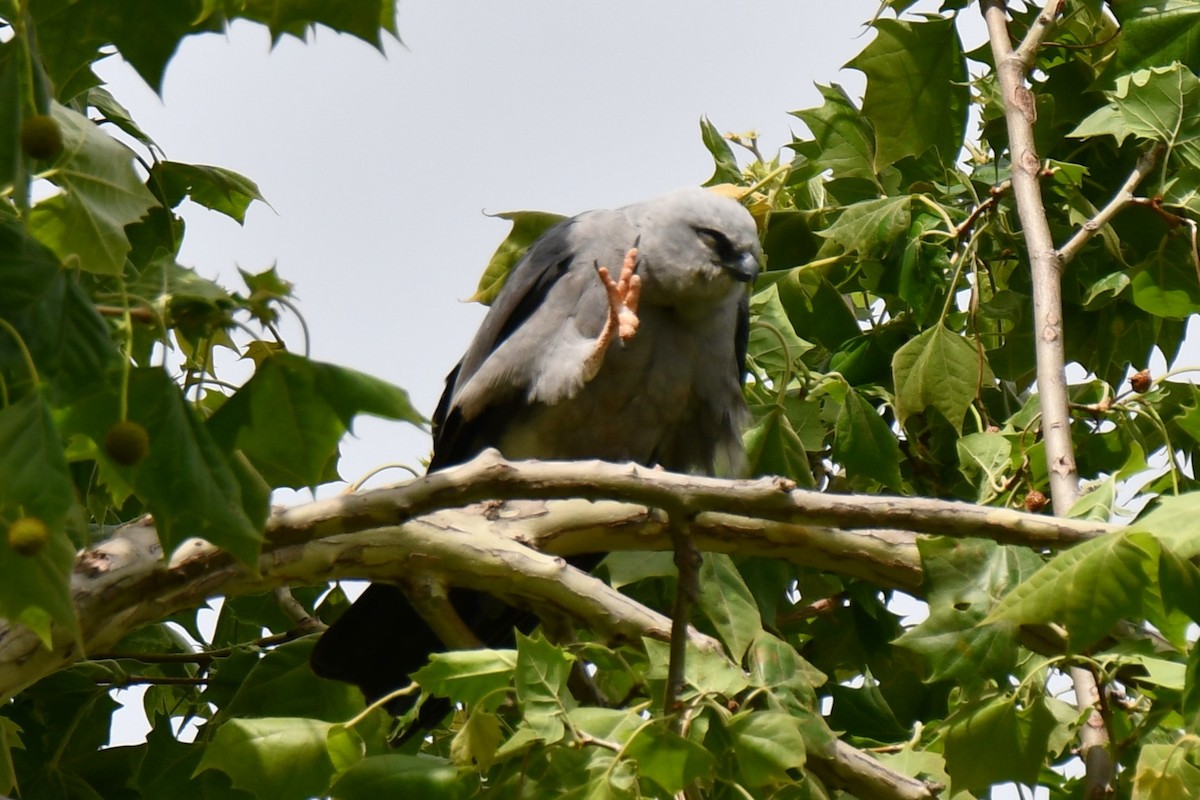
(571, 364)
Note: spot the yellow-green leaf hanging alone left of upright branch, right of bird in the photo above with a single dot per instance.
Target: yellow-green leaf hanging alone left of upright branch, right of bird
(943, 370)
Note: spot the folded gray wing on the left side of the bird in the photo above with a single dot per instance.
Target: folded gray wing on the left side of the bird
(532, 346)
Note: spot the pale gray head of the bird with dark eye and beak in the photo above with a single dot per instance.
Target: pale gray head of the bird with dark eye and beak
(697, 249)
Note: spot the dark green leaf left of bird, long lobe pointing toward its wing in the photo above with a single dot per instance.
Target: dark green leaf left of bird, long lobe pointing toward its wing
(291, 416)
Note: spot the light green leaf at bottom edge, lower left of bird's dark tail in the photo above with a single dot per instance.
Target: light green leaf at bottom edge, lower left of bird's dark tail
(281, 757)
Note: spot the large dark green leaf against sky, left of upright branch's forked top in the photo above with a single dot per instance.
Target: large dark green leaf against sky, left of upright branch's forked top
(917, 93)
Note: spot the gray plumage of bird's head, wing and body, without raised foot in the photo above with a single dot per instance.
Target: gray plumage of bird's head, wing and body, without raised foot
(669, 396)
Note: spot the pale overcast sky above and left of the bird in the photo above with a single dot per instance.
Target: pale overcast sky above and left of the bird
(380, 167)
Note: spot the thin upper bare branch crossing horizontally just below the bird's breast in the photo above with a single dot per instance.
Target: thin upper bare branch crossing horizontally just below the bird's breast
(772, 500)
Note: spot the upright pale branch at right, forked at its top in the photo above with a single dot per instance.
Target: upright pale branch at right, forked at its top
(1047, 264)
